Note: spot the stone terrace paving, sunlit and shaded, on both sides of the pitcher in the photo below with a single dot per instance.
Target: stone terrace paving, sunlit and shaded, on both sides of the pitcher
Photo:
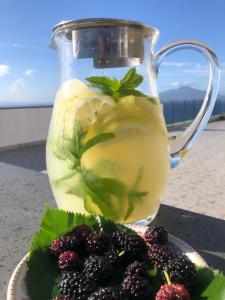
(193, 209)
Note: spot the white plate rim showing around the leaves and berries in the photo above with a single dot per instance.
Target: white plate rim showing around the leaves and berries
(17, 289)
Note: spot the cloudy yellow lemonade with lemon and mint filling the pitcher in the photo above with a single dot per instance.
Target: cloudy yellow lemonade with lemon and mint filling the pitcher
(107, 153)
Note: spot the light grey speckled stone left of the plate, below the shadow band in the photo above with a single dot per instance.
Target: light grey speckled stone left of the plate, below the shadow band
(22, 203)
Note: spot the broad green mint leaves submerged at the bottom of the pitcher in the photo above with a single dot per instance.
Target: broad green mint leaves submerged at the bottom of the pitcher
(104, 195)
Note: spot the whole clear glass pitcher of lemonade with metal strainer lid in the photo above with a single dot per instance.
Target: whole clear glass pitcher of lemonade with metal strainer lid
(108, 151)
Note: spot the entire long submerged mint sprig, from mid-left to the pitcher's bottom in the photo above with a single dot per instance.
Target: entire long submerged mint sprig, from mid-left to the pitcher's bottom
(100, 195)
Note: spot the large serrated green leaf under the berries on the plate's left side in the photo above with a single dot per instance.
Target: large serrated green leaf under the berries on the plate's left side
(42, 274)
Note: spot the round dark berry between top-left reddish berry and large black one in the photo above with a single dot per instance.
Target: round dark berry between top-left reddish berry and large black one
(97, 243)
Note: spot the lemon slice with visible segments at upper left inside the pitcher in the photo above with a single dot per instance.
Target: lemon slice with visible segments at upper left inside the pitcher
(86, 108)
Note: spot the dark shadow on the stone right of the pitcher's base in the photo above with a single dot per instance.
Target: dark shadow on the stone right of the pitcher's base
(205, 234)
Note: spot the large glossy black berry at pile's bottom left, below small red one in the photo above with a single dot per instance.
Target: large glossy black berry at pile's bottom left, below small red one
(76, 285)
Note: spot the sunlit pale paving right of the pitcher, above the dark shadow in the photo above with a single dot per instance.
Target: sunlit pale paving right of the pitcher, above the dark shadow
(198, 183)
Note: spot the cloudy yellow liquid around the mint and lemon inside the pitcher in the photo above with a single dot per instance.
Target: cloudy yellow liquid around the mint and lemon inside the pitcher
(139, 149)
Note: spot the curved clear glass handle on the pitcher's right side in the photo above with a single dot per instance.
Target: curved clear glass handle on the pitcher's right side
(180, 144)
